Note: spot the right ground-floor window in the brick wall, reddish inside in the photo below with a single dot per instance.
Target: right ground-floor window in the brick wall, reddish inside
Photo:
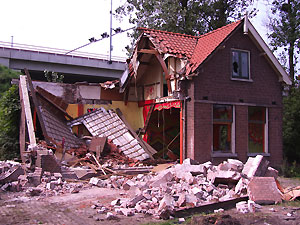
(257, 129)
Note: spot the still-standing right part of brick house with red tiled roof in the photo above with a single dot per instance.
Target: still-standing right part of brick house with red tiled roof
(208, 97)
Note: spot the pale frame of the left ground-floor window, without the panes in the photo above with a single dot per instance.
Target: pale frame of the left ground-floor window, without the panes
(232, 131)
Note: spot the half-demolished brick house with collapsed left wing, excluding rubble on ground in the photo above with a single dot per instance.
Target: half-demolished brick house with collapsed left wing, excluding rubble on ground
(208, 98)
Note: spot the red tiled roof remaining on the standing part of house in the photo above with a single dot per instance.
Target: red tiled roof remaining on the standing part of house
(194, 48)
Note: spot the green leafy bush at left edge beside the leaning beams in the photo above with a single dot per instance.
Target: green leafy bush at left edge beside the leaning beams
(9, 123)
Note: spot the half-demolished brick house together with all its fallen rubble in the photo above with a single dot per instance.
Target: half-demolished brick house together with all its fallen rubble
(205, 100)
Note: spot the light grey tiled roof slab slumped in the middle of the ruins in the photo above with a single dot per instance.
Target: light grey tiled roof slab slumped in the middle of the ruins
(102, 123)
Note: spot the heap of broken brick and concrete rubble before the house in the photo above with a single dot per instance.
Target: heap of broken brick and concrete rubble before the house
(160, 194)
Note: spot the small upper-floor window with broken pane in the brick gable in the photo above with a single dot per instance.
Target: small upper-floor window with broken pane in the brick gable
(240, 64)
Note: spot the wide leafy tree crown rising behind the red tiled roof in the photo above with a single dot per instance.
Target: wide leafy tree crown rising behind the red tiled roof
(194, 17)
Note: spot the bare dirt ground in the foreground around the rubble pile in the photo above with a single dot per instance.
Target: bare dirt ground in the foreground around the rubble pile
(16, 208)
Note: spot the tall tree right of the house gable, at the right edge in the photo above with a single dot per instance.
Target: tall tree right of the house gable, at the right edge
(285, 32)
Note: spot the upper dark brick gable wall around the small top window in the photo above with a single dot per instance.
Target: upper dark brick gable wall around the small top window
(214, 77)
